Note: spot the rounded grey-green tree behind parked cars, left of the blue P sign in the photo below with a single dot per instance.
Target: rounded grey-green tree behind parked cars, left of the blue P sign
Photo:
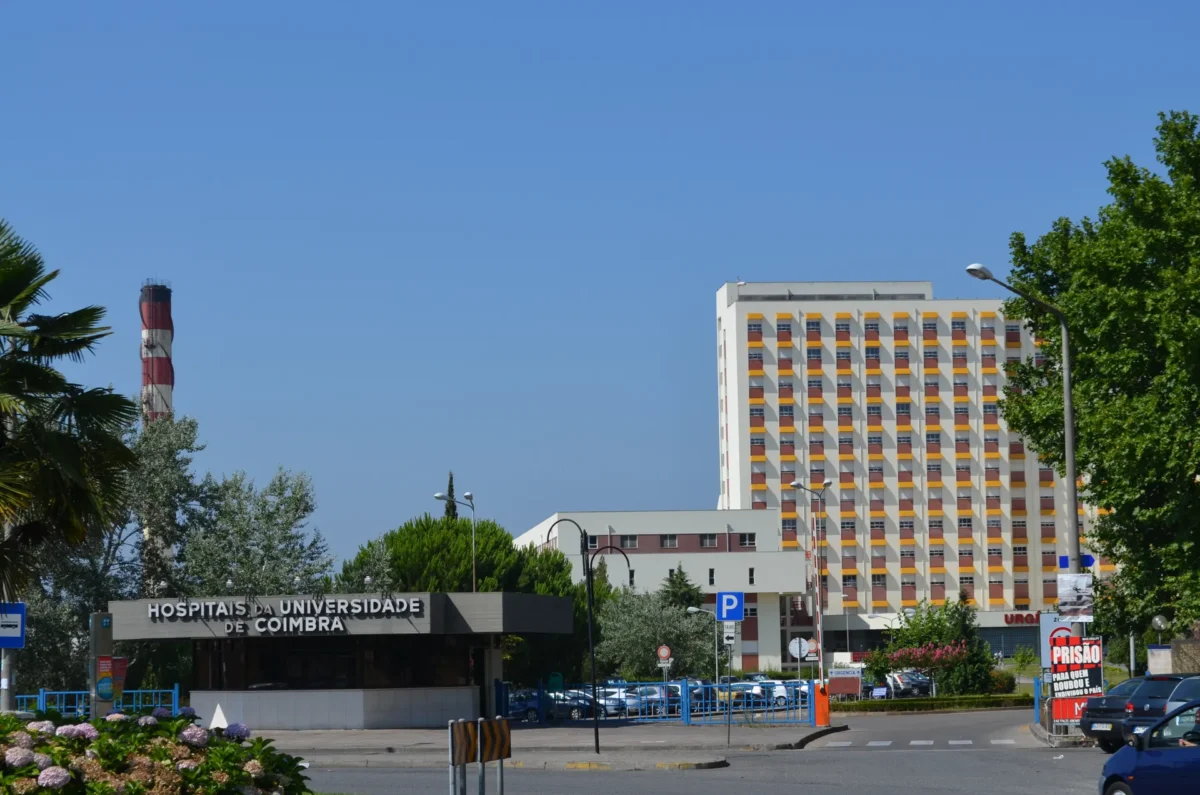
(635, 625)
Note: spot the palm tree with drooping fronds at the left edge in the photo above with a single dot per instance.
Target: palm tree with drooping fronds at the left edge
(63, 461)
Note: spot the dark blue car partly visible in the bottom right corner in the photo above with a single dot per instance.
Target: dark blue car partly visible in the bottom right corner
(1162, 761)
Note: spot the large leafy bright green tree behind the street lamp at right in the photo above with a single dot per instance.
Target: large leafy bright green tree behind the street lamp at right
(1130, 286)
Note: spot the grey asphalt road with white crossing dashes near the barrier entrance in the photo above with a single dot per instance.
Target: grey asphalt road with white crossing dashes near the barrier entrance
(985, 768)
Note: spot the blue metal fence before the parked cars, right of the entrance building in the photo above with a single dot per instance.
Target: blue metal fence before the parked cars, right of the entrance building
(692, 703)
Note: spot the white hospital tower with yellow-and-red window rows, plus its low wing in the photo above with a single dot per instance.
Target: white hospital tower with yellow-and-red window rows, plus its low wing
(891, 396)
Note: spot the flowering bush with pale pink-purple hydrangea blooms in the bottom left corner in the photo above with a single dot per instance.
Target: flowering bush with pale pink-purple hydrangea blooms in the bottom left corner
(148, 756)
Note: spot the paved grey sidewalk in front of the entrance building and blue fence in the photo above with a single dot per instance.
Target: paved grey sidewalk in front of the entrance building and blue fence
(640, 746)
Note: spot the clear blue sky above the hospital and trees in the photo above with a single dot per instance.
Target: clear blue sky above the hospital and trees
(412, 237)
